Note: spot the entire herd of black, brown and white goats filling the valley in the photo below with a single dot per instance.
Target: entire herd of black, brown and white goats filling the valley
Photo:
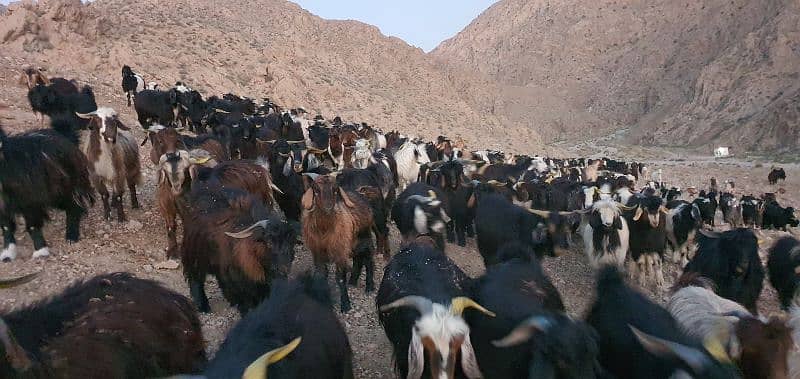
(253, 180)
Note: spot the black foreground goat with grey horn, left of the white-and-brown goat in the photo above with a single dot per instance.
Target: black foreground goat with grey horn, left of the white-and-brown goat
(639, 339)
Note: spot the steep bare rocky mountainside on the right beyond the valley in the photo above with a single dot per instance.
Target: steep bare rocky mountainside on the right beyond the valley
(674, 74)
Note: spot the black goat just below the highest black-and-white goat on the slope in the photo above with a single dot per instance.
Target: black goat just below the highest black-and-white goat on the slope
(154, 107)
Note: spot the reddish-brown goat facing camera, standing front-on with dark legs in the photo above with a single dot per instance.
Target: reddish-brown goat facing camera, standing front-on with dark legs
(334, 222)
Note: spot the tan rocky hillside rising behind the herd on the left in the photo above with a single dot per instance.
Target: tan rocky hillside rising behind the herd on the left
(275, 49)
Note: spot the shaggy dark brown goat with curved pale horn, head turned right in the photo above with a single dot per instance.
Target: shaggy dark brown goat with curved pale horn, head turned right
(233, 236)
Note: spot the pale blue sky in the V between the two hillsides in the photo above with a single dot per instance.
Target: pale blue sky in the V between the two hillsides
(421, 23)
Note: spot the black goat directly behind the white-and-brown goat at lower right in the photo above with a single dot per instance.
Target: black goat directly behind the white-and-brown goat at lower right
(730, 259)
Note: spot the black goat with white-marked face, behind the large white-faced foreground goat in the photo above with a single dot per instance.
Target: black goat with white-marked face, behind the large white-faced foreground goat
(419, 211)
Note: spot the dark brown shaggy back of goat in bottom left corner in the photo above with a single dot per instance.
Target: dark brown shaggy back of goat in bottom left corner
(110, 326)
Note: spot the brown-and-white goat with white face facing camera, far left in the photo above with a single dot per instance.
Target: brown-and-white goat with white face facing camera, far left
(113, 159)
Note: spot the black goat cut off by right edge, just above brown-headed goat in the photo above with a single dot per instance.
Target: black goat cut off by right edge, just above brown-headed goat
(783, 267)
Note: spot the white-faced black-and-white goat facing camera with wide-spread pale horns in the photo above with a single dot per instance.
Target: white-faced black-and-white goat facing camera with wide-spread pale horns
(606, 235)
